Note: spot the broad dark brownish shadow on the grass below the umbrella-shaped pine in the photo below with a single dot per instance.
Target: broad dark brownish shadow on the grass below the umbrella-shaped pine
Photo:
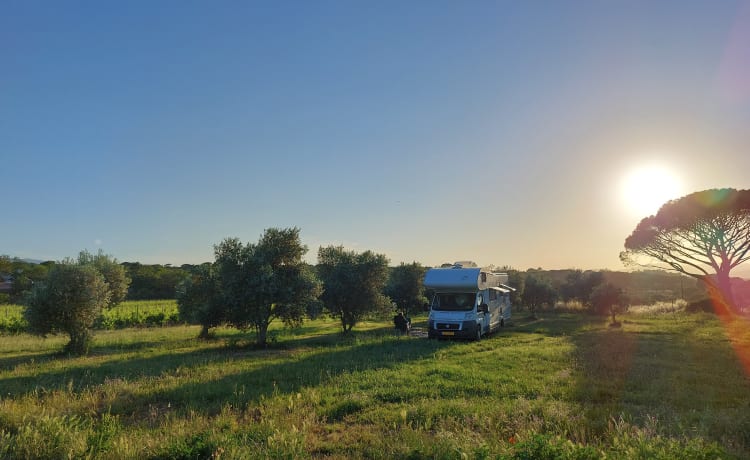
(663, 381)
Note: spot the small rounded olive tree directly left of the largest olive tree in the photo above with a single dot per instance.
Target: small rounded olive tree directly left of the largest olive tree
(200, 300)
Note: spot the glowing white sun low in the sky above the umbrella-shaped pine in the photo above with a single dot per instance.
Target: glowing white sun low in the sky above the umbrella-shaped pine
(646, 188)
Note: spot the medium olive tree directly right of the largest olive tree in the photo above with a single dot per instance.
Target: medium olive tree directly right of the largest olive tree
(352, 284)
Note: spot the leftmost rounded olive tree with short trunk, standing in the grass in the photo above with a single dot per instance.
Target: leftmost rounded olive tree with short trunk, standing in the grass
(69, 301)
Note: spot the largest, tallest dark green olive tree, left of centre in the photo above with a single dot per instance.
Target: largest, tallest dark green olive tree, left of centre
(266, 280)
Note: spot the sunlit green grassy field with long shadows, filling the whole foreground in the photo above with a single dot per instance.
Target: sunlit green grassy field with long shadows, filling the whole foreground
(666, 386)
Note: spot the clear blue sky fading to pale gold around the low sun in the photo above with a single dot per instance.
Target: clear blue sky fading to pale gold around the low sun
(524, 134)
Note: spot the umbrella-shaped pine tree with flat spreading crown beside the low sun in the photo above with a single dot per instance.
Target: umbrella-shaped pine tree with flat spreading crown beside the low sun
(703, 235)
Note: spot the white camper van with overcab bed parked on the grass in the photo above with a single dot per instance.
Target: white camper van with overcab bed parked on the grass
(469, 302)
